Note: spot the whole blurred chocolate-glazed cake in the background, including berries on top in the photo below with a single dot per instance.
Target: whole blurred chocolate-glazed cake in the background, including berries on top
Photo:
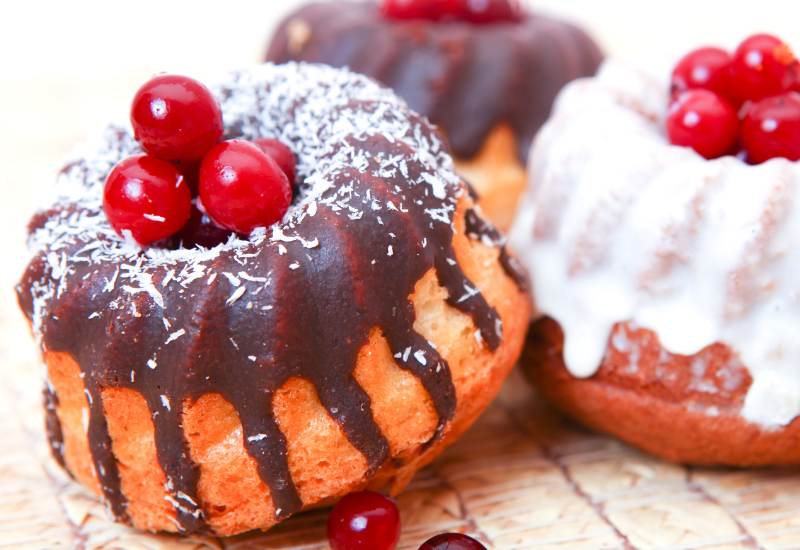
(485, 72)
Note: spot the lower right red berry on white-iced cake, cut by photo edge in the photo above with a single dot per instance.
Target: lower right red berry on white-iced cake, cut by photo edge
(772, 128)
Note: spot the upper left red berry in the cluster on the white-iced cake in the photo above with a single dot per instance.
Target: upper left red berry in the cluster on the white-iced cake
(708, 69)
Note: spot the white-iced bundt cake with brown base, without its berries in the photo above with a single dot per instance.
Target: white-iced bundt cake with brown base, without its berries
(666, 282)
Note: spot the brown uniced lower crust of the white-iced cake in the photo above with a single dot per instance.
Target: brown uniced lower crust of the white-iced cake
(683, 409)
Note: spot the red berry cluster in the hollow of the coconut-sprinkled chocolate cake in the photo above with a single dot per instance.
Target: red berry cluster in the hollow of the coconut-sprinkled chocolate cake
(178, 122)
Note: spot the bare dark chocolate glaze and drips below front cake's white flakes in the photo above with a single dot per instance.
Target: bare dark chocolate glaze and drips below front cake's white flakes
(307, 313)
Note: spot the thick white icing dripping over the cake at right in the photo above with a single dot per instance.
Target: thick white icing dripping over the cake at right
(619, 225)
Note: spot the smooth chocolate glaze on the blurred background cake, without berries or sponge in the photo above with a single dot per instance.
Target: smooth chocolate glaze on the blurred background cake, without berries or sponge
(464, 77)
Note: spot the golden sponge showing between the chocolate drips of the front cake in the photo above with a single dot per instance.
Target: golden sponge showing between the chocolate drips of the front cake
(324, 465)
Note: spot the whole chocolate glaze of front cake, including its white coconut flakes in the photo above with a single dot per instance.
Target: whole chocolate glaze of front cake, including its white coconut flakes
(374, 216)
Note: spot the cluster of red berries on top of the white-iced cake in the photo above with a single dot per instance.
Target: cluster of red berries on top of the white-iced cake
(745, 104)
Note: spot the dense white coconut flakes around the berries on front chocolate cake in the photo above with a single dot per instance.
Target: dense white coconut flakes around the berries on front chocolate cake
(313, 109)
